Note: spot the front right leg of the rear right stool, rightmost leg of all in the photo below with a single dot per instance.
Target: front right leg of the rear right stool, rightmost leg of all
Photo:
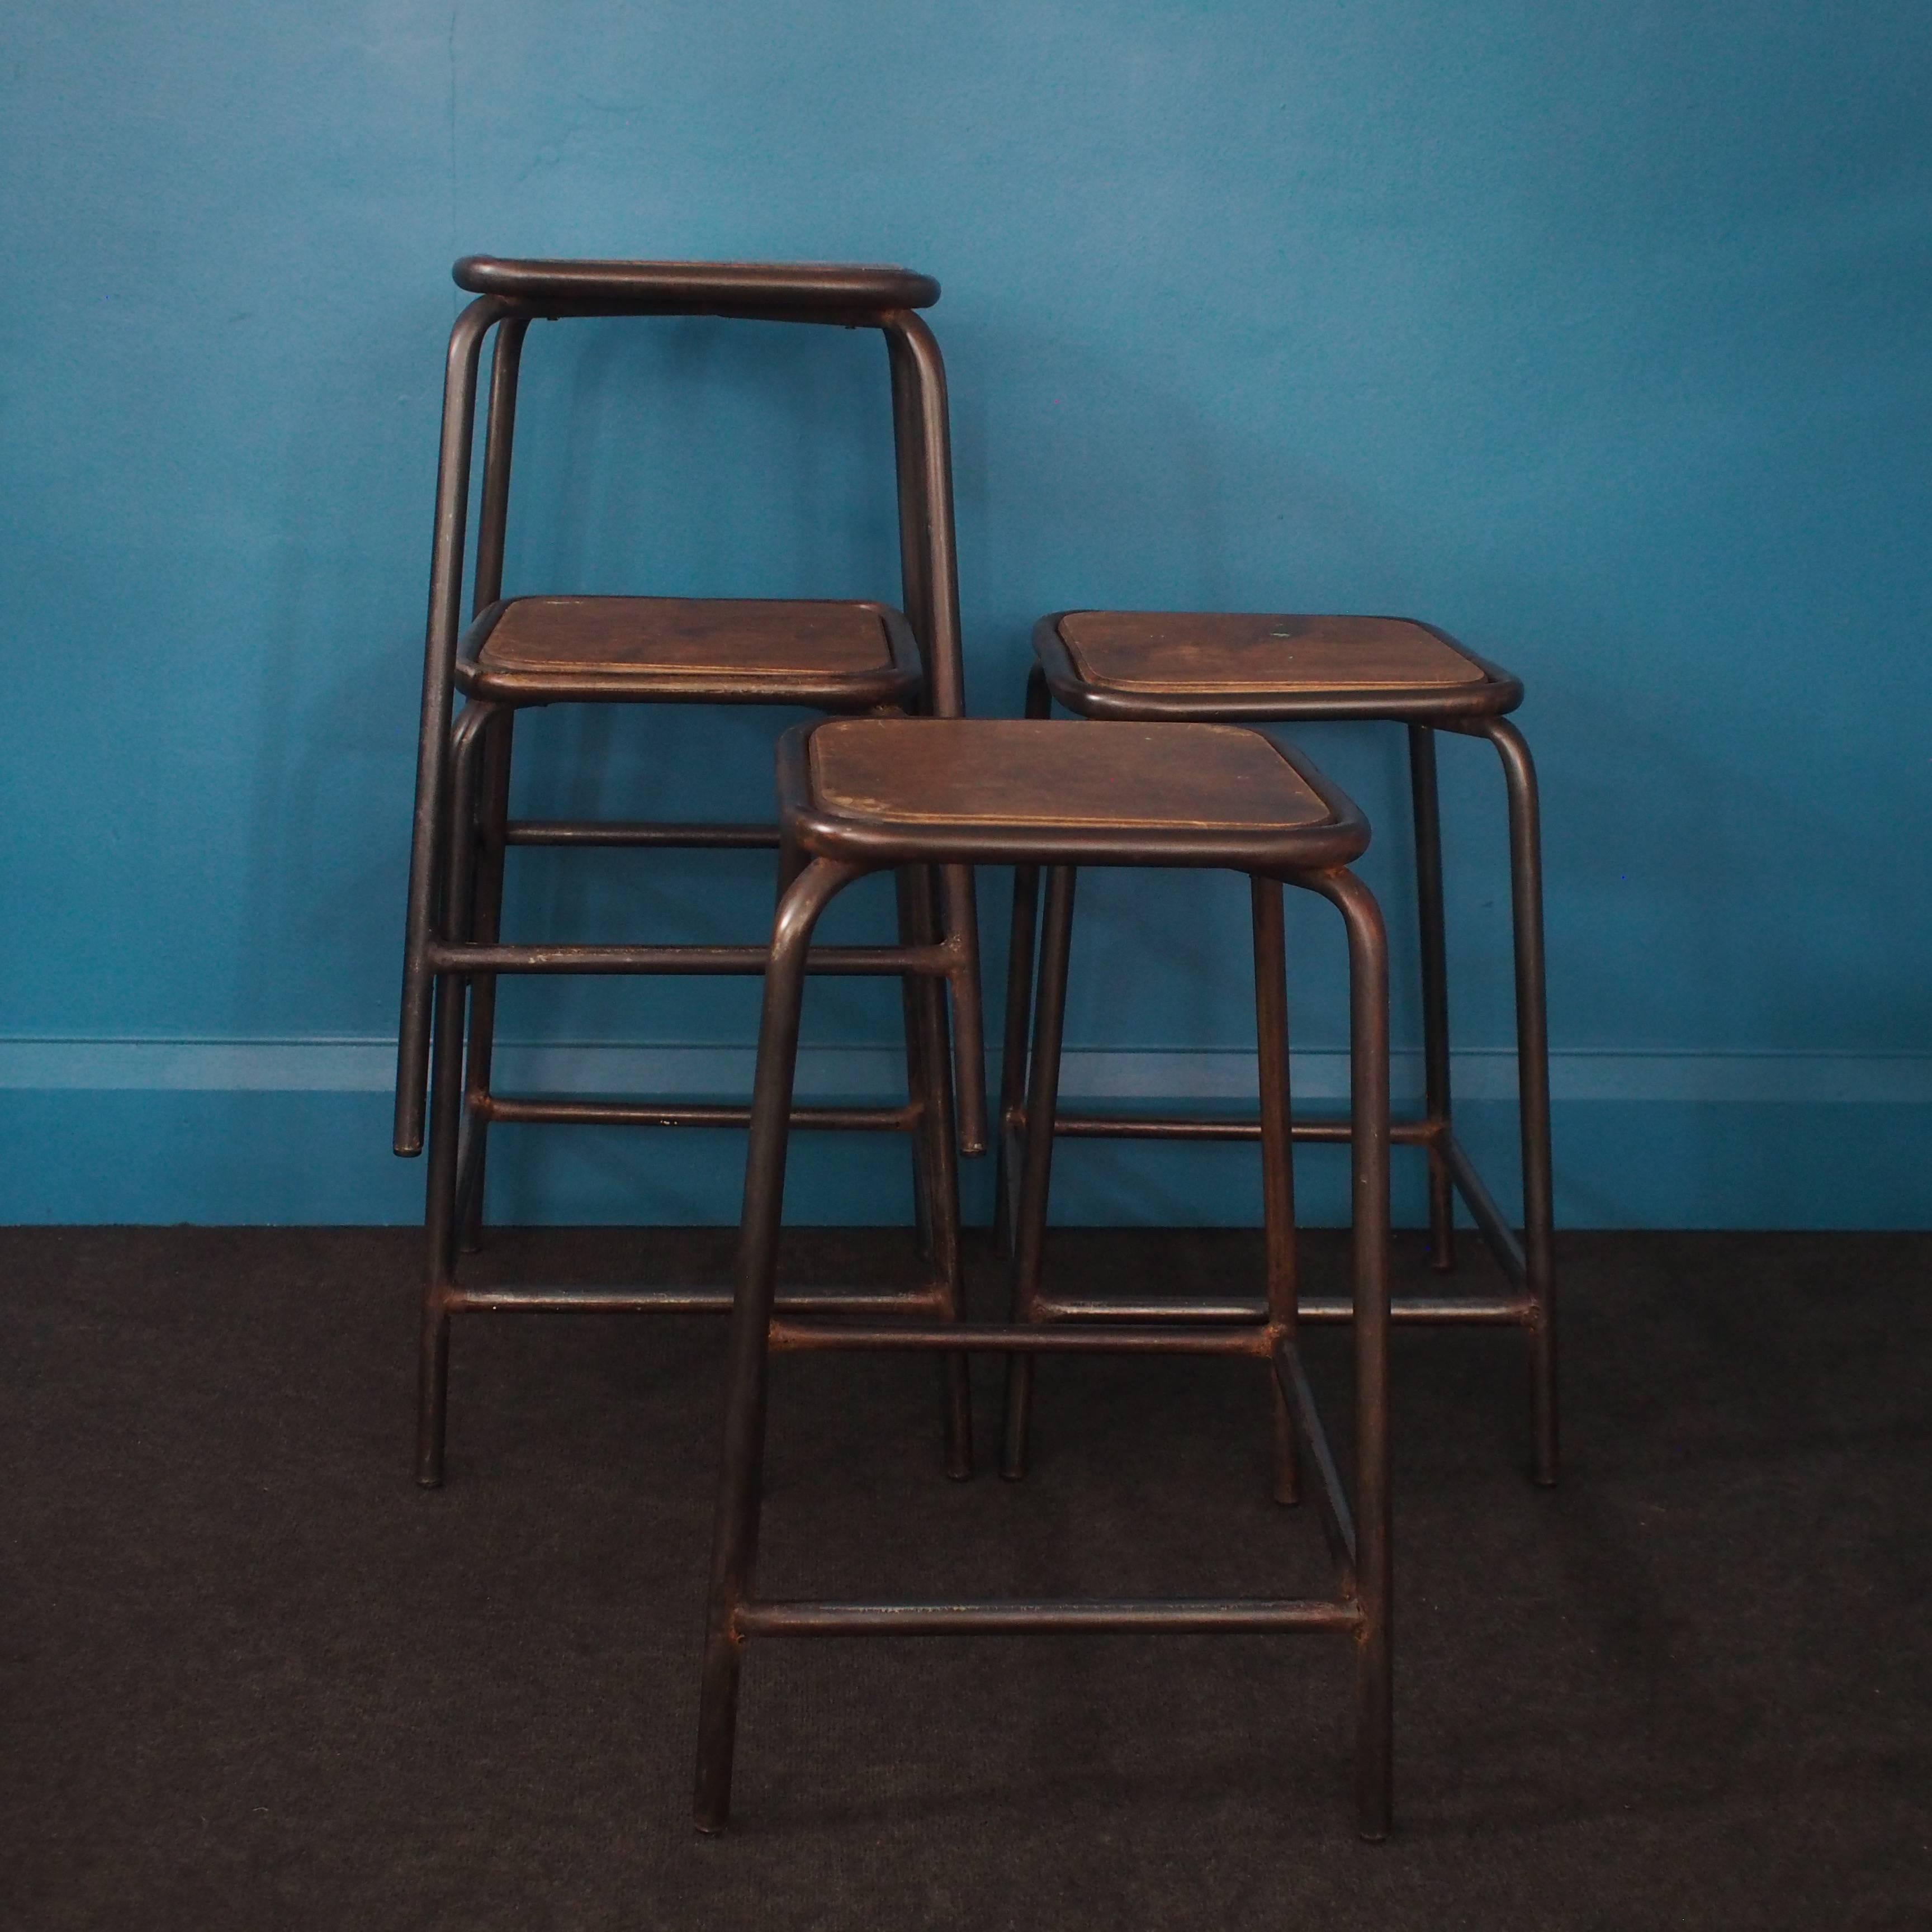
(1533, 1087)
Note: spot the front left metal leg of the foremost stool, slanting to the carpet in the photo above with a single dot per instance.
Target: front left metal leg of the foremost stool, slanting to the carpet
(735, 1525)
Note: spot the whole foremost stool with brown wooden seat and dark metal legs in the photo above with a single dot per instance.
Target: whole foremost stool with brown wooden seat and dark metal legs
(859, 795)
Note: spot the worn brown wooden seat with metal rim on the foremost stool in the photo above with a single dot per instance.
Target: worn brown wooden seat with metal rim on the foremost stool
(1147, 795)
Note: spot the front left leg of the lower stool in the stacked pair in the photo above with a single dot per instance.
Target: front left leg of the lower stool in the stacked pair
(445, 1114)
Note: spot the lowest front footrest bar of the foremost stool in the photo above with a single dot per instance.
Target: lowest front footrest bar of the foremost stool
(1203, 1616)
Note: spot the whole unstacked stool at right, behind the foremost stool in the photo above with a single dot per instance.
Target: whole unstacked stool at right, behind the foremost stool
(1297, 669)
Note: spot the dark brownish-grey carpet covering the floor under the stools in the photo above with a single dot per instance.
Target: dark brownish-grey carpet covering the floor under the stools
(254, 1678)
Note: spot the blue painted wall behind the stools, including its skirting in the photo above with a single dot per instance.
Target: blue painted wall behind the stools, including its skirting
(1597, 335)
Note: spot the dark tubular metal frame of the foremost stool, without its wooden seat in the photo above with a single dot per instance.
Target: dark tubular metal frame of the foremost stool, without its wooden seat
(1357, 1531)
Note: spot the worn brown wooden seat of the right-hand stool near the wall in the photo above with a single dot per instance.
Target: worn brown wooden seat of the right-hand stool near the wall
(1264, 666)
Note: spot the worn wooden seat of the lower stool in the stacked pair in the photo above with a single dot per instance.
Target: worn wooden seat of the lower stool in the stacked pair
(714, 650)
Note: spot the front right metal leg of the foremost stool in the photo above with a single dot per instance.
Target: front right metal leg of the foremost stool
(1369, 1172)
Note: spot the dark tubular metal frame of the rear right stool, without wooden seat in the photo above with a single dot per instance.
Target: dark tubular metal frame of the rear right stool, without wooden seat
(1527, 1261)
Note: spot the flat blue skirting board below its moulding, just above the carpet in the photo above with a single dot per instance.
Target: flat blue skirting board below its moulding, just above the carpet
(324, 1158)
